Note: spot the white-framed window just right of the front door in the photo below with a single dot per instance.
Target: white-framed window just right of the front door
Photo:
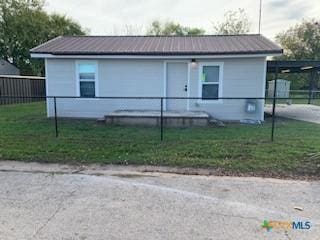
(210, 81)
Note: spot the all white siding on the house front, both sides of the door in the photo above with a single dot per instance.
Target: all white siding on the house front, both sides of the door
(145, 78)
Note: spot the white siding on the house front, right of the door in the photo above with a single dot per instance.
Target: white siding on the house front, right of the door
(241, 78)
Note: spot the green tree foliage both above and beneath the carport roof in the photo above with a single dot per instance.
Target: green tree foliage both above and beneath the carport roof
(300, 42)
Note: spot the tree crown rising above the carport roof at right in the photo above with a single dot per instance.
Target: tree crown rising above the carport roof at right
(301, 41)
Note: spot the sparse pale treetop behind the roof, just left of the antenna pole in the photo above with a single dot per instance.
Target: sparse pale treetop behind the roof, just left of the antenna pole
(235, 22)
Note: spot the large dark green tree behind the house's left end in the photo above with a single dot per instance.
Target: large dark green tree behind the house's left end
(23, 25)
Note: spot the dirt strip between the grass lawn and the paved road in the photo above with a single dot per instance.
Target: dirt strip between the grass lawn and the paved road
(137, 171)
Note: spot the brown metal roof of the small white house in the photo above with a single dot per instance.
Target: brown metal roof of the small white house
(159, 45)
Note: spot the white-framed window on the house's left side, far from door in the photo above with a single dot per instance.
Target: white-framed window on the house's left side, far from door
(87, 76)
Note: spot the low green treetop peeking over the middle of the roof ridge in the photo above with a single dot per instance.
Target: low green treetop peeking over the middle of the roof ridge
(170, 28)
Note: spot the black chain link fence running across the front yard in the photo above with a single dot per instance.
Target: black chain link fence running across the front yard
(167, 118)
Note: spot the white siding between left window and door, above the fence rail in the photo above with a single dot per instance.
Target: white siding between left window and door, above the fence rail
(131, 78)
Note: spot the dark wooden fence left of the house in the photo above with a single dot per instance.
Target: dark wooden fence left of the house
(19, 88)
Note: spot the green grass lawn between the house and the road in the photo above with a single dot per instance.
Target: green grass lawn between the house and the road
(26, 134)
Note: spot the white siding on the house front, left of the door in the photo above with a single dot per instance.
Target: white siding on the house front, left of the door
(116, 78)
